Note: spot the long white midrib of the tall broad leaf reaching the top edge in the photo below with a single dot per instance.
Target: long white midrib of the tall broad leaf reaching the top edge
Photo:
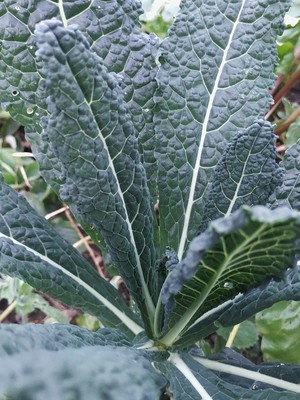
(190, 203)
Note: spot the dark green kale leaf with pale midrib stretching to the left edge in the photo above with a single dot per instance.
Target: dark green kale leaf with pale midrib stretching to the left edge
(32, 250)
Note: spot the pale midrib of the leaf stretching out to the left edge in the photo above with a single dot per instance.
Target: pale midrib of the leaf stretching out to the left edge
(132, 325)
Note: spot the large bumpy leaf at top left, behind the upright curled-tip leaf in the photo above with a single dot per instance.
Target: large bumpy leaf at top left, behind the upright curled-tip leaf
(112, 29)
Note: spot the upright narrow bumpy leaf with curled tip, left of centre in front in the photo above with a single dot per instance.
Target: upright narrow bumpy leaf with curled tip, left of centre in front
(102, 178)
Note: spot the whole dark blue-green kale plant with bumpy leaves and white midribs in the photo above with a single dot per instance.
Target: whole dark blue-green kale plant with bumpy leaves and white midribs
(163, 155)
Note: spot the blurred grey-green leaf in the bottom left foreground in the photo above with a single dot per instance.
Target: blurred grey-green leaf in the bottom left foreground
(97, 372)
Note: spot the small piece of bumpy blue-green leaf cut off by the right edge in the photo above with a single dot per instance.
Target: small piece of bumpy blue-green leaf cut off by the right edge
(288, 194)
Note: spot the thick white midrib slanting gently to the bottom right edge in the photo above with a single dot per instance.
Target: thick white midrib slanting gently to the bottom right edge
(246, 373)
